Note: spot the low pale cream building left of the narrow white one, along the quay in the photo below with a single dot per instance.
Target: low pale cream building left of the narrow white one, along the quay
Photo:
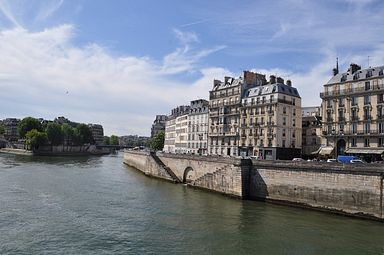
(176, 130)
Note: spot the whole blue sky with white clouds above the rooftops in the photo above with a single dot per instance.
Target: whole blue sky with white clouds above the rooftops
(121, 62)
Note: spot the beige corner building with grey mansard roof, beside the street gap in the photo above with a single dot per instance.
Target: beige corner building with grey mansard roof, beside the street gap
(270, 121)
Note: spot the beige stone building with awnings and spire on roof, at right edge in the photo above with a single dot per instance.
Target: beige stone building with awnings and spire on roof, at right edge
(353, 112)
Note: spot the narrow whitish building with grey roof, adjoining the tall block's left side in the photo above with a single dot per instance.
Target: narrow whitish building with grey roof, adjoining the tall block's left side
(198, 127)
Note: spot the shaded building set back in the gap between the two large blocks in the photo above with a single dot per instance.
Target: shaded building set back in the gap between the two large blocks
(311, 131)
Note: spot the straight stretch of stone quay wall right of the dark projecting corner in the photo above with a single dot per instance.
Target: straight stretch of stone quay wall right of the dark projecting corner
(352, 190)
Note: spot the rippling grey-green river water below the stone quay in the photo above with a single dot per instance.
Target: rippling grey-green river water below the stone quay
(97, 205)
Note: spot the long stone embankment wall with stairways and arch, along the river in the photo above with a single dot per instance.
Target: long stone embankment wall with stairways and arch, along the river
(346, 189)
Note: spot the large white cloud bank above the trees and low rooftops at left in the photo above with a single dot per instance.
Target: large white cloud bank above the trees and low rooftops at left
(43, 75)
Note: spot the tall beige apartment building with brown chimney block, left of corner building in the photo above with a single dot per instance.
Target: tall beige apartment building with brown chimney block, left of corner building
(224, 112)
